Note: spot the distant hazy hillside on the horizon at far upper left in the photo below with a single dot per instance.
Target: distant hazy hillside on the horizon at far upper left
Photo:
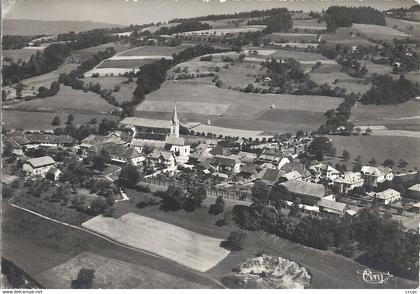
(29, 27)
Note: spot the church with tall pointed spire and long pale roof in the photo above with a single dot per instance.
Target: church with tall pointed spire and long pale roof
(158, 134)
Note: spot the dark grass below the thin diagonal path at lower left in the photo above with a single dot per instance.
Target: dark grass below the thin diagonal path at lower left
(51, 244)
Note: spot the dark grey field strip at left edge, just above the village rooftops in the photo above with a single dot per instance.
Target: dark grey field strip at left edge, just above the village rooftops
(42, 120)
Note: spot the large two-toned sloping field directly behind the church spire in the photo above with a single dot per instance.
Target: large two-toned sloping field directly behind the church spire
(244, 110)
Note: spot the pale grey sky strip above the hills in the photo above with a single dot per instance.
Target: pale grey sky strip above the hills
(145, 11)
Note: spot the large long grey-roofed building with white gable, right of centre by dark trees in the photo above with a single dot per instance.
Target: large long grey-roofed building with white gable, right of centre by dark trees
(309, 193)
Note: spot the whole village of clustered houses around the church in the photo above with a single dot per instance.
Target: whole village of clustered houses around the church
(157, 145)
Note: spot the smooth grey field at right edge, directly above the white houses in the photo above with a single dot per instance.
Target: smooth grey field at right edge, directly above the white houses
(380, 148)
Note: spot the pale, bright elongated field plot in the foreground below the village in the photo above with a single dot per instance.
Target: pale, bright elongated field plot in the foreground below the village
(190, 249)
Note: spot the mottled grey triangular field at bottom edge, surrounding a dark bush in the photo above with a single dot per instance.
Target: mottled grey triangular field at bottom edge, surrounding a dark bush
(111, 273)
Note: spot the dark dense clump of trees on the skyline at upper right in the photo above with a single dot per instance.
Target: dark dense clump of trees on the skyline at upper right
(341, 16)
